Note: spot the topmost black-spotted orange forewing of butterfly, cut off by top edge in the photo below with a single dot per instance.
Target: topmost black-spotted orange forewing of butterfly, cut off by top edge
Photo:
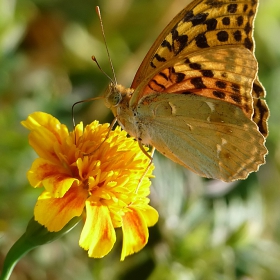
(201, 25)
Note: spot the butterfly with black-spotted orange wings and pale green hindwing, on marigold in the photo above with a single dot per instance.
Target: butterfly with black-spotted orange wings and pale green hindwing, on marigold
(196, 97)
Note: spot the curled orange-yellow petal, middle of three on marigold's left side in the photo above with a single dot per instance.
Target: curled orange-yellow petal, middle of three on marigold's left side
(53, 177)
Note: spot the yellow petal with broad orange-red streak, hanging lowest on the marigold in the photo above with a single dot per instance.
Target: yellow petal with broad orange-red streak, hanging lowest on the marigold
(135, 233)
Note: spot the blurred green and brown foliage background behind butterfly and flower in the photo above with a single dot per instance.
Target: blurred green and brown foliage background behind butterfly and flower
(207, 229)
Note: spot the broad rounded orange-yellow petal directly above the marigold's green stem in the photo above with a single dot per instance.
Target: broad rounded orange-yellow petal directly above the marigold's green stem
(55, 213)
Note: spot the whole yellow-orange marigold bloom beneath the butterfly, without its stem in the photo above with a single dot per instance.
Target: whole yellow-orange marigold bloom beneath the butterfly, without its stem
(103, 185)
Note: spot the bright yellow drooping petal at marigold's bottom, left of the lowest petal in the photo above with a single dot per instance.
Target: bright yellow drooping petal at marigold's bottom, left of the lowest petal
(98, 235)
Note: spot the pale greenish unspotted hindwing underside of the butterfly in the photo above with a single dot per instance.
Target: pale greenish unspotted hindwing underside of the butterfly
(212, 138)
